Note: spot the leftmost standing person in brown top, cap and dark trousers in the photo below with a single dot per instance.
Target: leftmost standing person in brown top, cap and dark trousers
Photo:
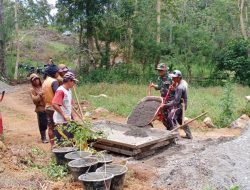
(36, 95)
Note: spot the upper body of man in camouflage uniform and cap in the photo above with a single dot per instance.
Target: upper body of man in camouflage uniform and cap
(164, 80)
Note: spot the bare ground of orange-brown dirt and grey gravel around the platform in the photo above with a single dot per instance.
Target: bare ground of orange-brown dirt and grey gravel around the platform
(169, 169)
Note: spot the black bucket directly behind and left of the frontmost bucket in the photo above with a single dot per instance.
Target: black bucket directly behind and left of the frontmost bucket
(82, 165)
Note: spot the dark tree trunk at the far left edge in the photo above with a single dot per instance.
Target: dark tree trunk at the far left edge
(2, 44)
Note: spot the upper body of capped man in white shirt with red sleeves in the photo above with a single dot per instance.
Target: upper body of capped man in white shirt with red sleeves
(62, 101)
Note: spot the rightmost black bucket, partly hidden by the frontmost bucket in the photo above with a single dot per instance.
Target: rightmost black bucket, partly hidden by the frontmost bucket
(118, 171)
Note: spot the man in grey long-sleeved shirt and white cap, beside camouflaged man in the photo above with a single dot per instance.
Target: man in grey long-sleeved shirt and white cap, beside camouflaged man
(175, 106)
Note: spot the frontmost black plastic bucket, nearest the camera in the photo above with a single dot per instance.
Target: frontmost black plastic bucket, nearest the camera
(96, 180)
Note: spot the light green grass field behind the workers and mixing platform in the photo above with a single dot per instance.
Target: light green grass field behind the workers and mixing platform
(122, 98)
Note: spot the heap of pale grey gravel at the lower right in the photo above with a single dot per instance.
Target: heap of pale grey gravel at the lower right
(217, 164)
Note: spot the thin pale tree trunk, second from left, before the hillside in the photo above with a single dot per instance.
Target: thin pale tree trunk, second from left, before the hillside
(17, 42)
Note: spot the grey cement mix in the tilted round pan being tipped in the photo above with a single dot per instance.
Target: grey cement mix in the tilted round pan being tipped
(143, 113)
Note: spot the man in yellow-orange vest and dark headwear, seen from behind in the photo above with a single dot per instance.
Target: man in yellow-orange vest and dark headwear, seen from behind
(49, 88)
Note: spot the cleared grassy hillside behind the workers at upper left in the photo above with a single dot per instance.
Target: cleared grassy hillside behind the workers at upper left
(38, 44)
